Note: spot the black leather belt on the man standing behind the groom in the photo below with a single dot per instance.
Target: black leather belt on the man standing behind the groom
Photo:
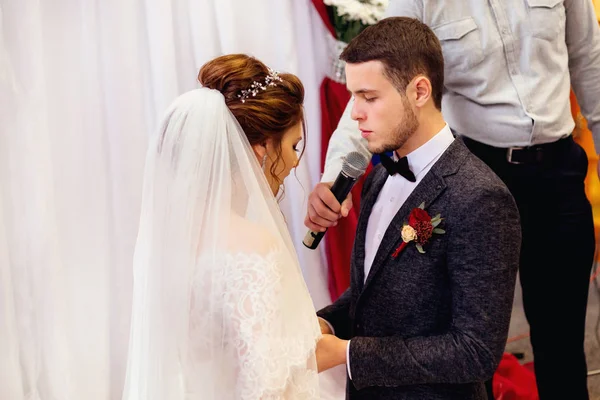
(530, 155)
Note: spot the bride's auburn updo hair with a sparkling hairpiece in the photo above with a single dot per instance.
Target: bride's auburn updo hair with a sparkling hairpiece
(266, 112)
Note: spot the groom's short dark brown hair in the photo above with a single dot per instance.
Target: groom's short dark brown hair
(406, 47)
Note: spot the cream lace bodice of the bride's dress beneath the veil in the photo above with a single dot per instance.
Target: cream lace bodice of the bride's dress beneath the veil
(267, 351)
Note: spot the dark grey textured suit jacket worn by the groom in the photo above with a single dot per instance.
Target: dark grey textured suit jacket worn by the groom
(433, 326)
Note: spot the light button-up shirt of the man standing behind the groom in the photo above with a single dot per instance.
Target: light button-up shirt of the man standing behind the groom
(509, 67)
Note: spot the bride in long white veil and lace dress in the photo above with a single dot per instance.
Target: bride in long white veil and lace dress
(220, 308)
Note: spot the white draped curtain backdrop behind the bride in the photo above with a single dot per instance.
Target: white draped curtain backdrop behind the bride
(82, 84)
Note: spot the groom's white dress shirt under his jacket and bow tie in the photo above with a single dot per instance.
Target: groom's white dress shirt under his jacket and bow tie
(394, 193)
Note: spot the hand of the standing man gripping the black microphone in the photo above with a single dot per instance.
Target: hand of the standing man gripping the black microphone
(323, 208)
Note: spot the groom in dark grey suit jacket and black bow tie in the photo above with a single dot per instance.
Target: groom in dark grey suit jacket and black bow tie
(437, 245)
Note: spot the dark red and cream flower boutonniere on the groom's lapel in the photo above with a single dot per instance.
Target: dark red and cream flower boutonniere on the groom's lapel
(419, 229)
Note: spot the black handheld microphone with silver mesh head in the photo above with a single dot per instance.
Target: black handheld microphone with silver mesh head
(355, 164)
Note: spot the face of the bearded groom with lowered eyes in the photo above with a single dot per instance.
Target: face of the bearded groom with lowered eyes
(385, 116)
